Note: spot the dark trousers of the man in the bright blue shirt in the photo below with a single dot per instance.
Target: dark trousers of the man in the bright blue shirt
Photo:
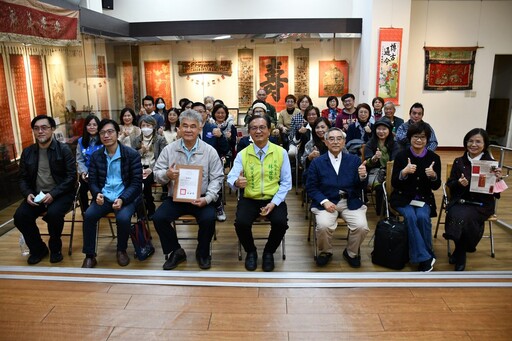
(123, 221)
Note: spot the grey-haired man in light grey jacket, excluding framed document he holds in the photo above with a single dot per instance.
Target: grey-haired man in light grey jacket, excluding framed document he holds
(189, 150)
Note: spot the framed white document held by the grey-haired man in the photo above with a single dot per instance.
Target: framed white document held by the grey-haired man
(187, 187)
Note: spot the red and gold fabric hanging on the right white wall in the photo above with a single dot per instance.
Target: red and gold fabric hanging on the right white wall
(449, 68)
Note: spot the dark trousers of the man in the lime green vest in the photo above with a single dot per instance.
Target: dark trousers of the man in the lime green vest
(246, 213)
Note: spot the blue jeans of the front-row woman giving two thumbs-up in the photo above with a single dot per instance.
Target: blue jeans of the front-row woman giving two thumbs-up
(419, 227)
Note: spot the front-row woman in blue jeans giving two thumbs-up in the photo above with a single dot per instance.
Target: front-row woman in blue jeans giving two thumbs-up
(416, 173)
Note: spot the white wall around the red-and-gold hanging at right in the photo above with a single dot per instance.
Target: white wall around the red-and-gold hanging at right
(450, 24)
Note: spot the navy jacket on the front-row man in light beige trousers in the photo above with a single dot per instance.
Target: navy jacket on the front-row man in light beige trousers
(323, 183)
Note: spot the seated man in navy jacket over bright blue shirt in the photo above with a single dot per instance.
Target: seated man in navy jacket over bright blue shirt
(115, 180)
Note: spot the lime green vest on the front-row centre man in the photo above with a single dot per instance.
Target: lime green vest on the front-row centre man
(262, 178)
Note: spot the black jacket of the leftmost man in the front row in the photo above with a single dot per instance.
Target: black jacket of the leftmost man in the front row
(62, 167)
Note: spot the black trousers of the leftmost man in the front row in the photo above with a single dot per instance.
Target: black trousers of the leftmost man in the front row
(25, 220)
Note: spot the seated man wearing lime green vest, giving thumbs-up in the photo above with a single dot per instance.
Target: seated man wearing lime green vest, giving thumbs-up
(263, 171)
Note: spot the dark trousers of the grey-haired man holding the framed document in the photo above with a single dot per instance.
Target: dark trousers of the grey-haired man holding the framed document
(170, 211)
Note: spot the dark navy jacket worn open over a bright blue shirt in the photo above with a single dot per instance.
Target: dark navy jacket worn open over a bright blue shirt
(131, 169)
